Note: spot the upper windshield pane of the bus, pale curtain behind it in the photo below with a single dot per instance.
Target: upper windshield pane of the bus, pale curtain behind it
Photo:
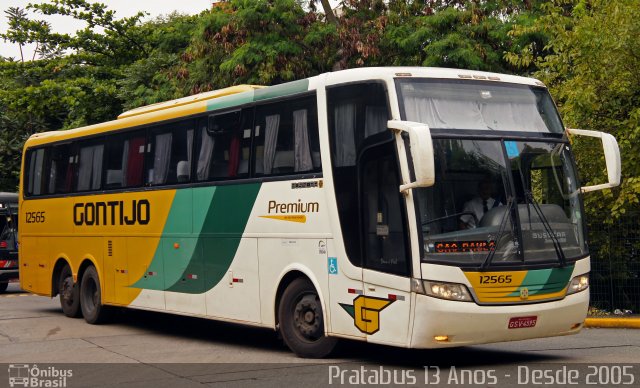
(477, 105)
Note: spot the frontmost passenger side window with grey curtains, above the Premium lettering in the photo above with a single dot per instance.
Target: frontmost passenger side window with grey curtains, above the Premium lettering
(286, 138)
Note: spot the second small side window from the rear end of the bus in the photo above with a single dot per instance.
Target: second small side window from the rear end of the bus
(61, 165)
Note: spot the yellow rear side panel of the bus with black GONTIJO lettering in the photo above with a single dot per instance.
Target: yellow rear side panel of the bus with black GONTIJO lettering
(67, 233)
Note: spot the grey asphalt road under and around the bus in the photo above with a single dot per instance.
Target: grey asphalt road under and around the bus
(142, 349)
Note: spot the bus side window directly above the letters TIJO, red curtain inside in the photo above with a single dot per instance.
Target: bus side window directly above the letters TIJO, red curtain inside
(124, 160)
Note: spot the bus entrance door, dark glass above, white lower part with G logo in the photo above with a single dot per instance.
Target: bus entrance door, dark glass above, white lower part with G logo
(385, 308)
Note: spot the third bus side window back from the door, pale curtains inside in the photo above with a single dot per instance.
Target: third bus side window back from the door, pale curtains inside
(169, 153)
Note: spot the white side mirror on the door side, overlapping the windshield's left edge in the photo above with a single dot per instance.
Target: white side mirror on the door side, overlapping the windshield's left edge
(421, 147)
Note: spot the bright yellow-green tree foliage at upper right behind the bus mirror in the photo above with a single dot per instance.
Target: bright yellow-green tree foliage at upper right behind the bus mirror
(591, 64)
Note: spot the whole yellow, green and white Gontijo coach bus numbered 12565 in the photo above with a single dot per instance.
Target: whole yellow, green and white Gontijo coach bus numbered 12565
(413, 207)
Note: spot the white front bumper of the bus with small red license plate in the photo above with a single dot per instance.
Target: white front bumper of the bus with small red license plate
(441, 323)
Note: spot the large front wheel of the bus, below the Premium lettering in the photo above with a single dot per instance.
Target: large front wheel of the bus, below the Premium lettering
(301, 321)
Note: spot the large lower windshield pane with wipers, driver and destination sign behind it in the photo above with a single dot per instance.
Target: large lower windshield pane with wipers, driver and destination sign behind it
(480, 201)
